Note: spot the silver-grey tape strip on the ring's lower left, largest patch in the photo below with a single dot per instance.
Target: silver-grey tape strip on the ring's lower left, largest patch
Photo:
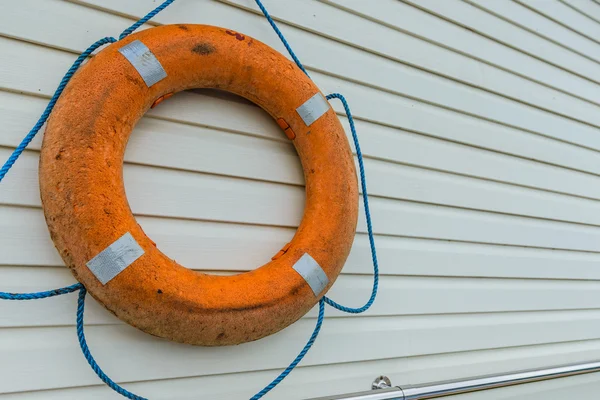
(111, 261)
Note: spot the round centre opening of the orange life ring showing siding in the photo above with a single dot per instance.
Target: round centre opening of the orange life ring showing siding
(214, 182)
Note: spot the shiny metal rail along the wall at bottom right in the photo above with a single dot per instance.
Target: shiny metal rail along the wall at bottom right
(449, 388)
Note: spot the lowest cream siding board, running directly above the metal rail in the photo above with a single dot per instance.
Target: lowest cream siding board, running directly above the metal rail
(314, 381)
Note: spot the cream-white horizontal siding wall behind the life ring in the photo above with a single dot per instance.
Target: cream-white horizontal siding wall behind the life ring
(479, 122)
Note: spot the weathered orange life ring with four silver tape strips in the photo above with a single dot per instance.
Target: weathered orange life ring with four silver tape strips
(96, 233)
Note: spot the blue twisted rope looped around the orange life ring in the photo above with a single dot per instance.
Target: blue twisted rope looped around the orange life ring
(82, 291)
